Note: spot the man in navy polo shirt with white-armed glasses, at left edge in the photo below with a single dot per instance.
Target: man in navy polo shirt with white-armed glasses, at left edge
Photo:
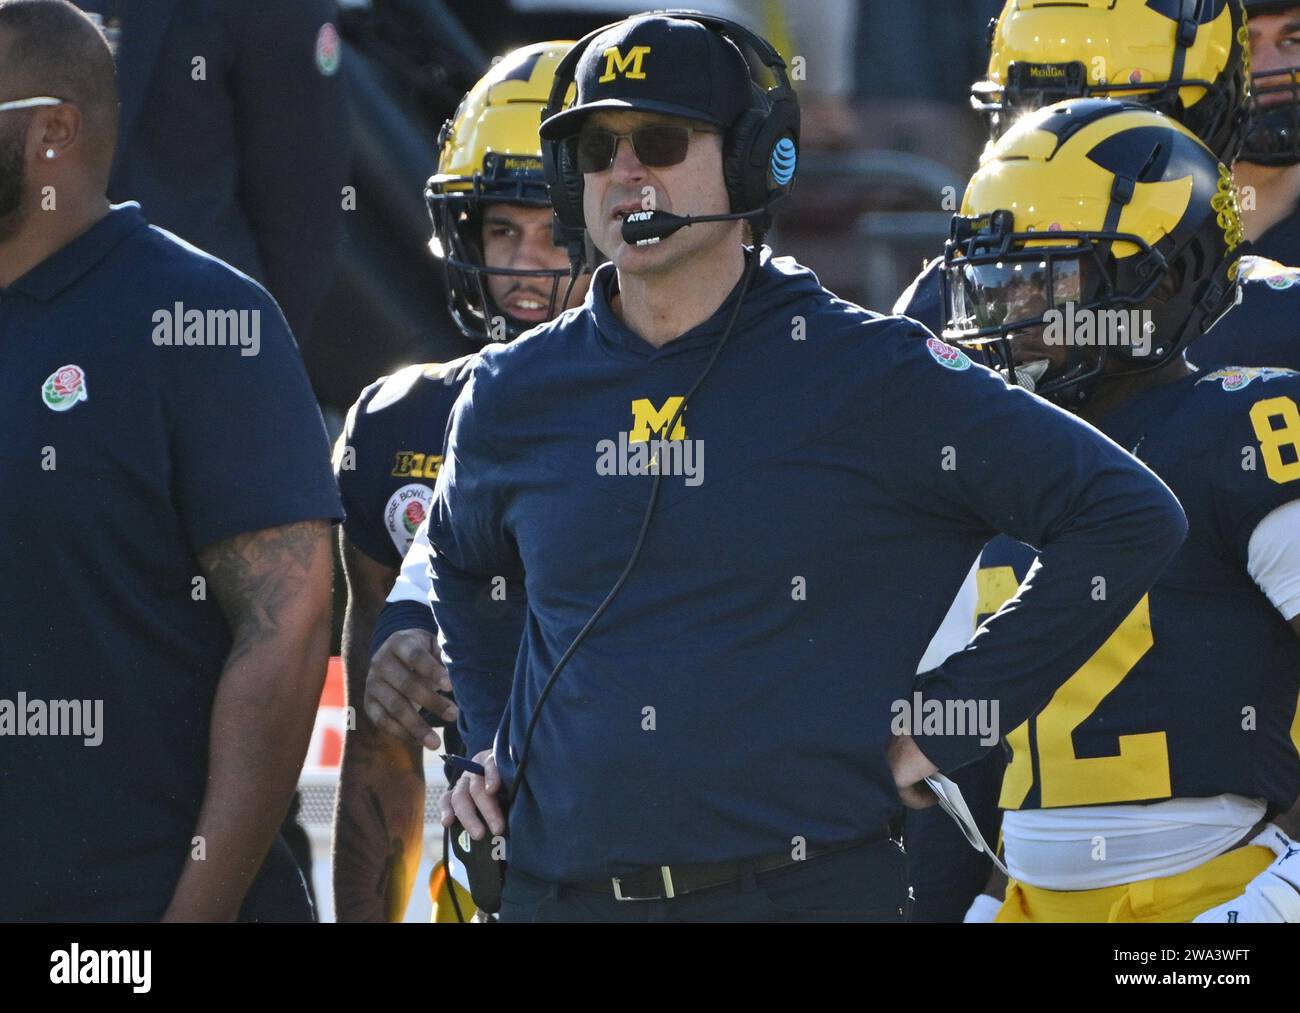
(166, 500)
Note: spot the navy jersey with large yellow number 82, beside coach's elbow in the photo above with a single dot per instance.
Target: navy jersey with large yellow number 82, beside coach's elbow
(1195, 694)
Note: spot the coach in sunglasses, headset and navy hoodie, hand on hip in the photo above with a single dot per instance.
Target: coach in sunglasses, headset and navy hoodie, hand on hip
(696, 724)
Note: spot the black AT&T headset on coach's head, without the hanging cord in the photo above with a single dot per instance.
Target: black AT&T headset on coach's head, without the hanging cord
(760, 150)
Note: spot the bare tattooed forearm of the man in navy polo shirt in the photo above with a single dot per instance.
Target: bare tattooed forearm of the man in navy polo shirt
(274, 587)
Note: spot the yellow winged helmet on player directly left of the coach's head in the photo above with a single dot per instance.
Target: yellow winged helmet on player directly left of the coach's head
(491, 151)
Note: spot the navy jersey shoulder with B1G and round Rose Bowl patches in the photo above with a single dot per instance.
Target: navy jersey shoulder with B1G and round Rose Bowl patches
(389, 454)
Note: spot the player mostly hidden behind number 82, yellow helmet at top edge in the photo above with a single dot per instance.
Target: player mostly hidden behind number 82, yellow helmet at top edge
(1198, 73)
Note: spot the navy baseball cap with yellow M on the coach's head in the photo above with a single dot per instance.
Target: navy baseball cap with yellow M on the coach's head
(658, 64)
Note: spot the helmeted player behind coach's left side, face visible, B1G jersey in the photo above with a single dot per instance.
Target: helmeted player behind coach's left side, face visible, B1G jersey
(492, 232)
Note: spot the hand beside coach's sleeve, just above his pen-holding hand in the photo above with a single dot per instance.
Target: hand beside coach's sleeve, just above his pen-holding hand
(405, 677)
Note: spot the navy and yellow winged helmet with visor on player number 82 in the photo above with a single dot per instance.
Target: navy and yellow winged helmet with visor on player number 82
(1084, 207)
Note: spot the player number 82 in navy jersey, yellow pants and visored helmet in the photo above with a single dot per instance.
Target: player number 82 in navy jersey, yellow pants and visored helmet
(1097, 241)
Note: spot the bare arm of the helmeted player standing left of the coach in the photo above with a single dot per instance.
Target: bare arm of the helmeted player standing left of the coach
(379, 825)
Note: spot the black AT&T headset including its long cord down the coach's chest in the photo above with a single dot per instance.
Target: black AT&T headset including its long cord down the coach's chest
(761, 155)
